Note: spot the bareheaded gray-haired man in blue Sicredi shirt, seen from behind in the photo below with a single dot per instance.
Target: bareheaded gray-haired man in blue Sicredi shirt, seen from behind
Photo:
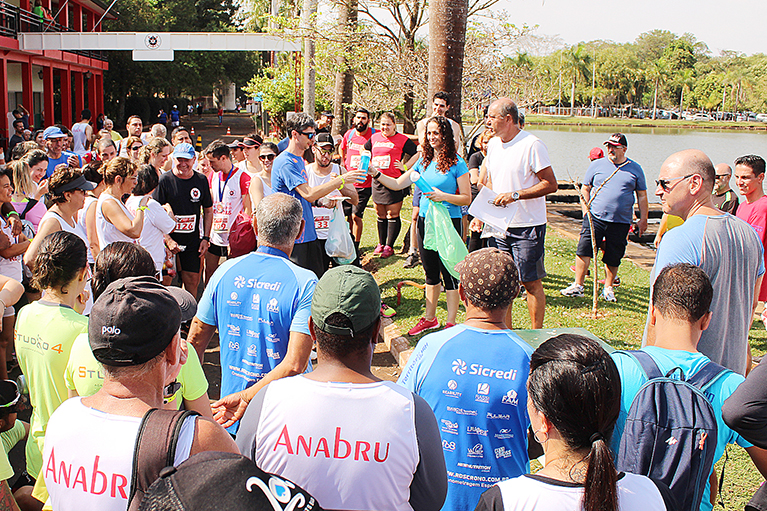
(260, 303)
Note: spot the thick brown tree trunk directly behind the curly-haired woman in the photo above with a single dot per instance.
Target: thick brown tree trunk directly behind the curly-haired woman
(447, 38)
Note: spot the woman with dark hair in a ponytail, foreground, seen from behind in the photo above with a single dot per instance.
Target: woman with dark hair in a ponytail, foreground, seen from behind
(574, 393)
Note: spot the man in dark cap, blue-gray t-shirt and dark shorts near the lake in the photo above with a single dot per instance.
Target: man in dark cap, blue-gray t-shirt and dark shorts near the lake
(614, 180)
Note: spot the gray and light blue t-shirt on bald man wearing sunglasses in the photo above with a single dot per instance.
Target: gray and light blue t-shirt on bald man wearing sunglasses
(731, 254)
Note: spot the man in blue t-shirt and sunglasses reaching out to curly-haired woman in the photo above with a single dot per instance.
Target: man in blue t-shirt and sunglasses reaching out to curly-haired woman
(289, 176)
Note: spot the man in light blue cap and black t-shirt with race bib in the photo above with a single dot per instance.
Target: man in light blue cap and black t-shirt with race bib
(188, 193)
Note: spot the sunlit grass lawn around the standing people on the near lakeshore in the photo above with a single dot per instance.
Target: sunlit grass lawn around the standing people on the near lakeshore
(621, 324)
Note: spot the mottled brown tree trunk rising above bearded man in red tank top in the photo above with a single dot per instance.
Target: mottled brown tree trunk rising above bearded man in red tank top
(344, 86)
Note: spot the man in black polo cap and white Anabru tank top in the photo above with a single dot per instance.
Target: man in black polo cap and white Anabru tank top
(89, 445)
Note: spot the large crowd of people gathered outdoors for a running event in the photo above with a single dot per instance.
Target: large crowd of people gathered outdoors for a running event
(121, 259)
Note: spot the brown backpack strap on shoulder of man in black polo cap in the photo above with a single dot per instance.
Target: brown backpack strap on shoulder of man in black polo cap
(155, 449)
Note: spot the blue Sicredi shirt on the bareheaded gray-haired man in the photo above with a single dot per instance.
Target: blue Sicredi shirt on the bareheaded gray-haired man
(255, 301)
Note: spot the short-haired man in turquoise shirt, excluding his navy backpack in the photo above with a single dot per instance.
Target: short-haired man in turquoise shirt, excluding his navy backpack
(680, 312)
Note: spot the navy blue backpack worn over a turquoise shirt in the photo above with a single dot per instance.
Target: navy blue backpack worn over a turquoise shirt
(671, 430)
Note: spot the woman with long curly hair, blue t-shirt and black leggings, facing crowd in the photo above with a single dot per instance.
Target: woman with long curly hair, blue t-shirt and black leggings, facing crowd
(443, 176)
